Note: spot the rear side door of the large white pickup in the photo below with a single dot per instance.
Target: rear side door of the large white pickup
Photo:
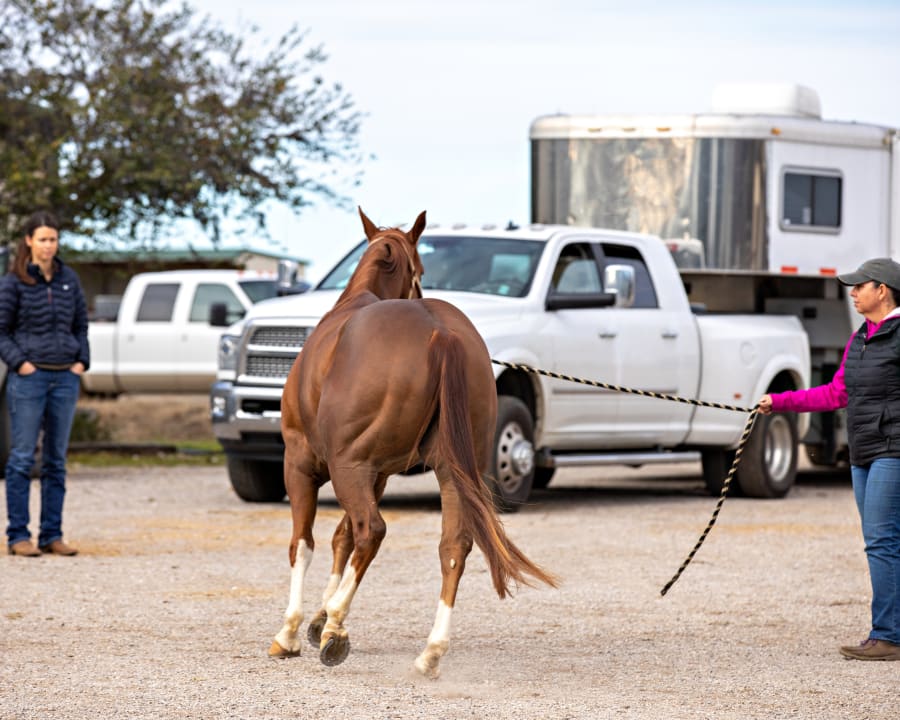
(656, 349)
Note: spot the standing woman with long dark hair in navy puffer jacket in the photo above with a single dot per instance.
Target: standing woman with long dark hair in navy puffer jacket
(43, 341)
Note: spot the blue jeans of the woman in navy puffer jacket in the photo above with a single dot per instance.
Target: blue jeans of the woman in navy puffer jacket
(45, 400)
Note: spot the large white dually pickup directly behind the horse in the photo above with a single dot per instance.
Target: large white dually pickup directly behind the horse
(540, 296)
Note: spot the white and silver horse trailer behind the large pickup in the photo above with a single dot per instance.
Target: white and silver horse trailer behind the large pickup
(761, 201)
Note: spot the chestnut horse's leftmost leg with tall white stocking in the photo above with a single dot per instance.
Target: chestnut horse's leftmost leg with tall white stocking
(303, 494)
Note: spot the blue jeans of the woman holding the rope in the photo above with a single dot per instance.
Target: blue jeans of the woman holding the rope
(877, 491)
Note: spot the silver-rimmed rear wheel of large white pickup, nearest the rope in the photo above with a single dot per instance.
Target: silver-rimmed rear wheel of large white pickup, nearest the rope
(768, 466)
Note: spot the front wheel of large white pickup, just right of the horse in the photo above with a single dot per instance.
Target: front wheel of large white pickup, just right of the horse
(512, 459)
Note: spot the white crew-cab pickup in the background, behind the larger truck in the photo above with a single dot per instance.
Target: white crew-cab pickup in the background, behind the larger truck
(161, 339)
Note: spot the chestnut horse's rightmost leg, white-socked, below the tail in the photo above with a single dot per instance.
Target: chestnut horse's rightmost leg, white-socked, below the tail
(455, 546)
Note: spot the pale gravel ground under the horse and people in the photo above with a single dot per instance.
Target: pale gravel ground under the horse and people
(171, 606)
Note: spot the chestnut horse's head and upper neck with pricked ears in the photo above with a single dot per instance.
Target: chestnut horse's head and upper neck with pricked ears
(391, 267)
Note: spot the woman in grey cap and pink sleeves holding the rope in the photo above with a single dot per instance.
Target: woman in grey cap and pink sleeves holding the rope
(868, 385)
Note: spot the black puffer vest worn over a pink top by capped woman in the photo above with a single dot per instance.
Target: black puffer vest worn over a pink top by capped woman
(872, 375)
